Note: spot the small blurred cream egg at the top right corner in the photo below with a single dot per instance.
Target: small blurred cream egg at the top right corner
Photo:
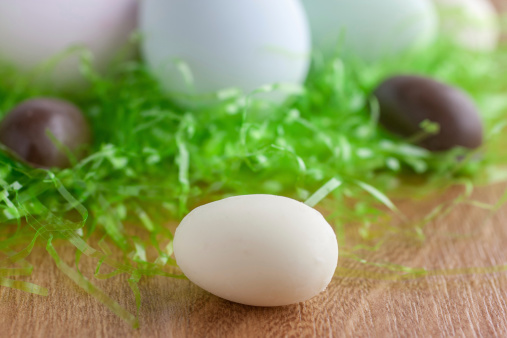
(473, 24)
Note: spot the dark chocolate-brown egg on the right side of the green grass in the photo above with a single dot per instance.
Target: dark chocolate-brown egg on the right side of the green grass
(407, 101)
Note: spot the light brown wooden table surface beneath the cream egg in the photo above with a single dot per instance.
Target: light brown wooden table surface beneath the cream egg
(361, 300)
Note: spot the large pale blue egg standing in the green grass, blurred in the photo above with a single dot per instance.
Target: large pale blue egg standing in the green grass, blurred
(198, 47)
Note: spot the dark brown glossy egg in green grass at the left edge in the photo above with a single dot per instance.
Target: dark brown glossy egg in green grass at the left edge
(31, 128)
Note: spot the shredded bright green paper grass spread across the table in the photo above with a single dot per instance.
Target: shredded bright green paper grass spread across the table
(152, 162)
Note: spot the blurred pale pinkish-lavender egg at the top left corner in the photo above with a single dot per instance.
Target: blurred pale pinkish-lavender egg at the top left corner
(34, 31)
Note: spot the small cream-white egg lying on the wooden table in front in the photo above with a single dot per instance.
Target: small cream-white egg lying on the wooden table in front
(259, 250)
